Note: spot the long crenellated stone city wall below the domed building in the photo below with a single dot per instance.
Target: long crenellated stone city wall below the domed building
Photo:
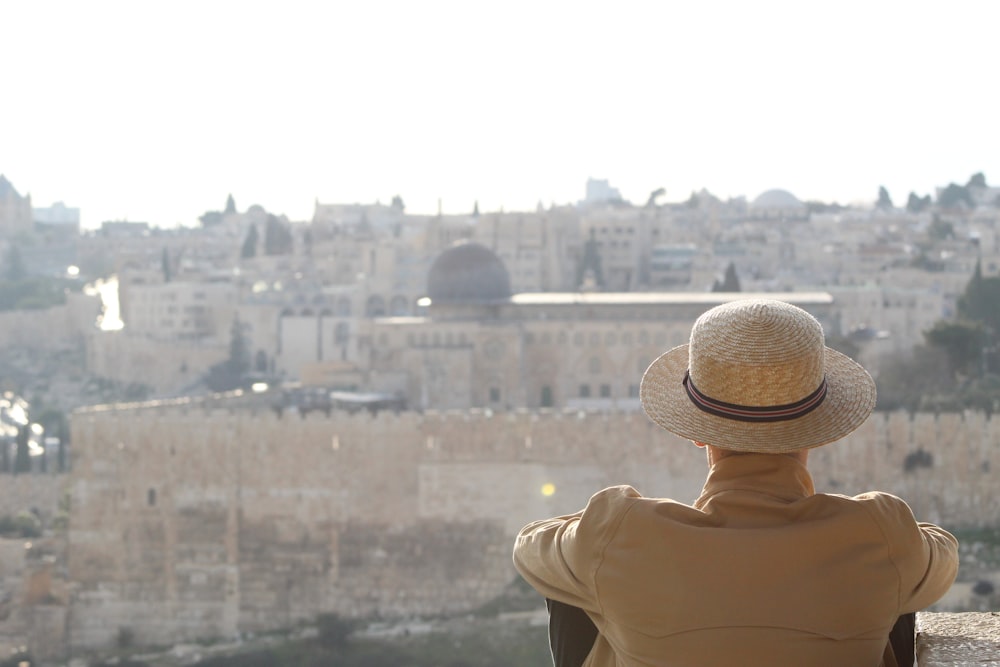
(190, 522)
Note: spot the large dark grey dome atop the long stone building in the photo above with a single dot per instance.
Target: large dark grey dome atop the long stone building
(467, 273)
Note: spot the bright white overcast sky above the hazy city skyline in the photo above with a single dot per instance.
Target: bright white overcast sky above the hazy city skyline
(155, 111)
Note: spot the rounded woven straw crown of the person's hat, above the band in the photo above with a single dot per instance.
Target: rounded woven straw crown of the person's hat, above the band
(757, 353)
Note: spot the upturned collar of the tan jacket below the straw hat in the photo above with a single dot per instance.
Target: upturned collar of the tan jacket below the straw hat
(774, 475)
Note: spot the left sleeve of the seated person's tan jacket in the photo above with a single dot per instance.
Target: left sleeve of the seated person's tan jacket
(559, 557)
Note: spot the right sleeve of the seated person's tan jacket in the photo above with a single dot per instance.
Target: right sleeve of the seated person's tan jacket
(925, 555)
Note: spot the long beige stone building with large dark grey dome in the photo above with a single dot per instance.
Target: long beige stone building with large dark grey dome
(479, 346)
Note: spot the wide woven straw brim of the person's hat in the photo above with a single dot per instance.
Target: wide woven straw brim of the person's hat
(849, 401)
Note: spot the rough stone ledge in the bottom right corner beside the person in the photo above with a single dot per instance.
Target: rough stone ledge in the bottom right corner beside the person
(958, 640)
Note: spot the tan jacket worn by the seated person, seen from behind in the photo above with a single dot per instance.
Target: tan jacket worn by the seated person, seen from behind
(760, 571)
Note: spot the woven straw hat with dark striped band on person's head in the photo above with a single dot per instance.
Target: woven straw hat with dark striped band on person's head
(757, 376)
